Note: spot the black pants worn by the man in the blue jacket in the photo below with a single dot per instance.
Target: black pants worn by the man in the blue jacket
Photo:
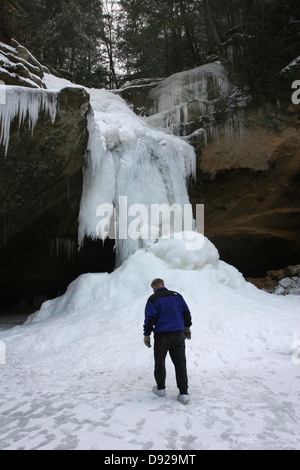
(174, 343)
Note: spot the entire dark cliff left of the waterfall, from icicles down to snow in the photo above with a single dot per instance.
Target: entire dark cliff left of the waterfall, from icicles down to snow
(40, 193)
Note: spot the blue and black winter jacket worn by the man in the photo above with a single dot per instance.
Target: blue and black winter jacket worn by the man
(166, 311)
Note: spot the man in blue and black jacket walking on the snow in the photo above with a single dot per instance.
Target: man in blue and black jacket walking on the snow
(168, 316)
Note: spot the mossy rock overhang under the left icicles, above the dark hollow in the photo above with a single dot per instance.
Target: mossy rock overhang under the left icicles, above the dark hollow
(40, 168)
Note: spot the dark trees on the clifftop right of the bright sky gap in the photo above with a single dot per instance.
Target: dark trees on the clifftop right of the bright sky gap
(257, 38)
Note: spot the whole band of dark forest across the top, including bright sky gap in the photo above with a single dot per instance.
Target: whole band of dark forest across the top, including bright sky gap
(99, 40)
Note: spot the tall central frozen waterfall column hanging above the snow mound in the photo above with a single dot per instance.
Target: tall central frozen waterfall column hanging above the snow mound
(130, 166)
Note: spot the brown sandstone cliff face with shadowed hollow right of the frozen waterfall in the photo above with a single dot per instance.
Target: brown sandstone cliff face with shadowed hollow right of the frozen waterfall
(250, 187)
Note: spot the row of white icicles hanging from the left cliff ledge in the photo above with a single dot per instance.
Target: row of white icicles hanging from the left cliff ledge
(24, 102)
